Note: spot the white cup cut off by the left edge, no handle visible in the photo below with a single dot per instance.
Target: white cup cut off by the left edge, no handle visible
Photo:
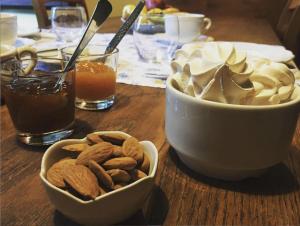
(8, 28)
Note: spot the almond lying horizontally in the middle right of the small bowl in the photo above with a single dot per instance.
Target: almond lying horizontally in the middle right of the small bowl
(125, 163)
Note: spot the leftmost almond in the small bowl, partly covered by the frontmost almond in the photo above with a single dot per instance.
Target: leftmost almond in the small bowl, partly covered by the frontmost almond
(55, 173)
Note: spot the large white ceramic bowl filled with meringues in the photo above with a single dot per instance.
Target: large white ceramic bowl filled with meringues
(228, 141)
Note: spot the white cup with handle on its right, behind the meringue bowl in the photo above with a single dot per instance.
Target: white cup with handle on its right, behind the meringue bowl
(187, 26)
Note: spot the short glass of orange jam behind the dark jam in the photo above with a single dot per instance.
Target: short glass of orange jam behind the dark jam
(95, 77)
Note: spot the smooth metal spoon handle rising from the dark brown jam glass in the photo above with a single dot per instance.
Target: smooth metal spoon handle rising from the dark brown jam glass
(100, 14)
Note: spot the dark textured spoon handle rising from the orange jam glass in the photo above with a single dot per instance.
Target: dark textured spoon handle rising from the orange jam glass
(125, 27)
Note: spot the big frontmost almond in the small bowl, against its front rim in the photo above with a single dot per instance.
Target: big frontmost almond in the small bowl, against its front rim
(82, 180)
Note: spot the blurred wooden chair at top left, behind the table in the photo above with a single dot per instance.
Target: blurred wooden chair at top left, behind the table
(40, 8)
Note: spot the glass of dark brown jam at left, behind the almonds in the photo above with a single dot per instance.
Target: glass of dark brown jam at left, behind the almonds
(41, 109)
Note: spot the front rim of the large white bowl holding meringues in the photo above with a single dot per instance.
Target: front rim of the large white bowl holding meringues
(219, 105)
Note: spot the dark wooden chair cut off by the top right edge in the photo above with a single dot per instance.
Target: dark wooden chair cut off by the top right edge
(288, 27)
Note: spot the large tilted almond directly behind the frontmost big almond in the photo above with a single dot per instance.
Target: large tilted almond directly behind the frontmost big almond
(99, 152)
